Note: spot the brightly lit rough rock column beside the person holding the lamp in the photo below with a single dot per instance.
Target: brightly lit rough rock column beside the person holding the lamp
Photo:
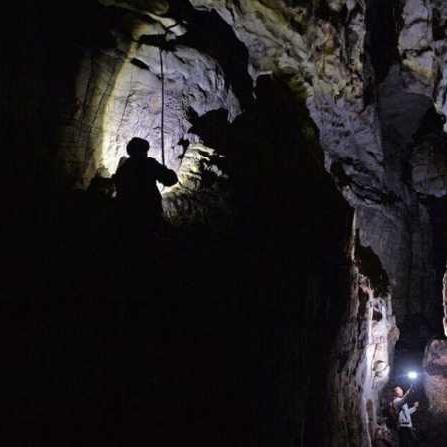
(363, 356)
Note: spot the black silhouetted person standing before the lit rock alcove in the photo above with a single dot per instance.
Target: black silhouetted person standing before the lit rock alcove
(139, 200)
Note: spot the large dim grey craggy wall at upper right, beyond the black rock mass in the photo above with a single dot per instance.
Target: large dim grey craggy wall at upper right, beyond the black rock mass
(369, 72)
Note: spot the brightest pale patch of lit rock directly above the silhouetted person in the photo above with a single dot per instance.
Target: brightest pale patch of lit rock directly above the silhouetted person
(193, 83)
